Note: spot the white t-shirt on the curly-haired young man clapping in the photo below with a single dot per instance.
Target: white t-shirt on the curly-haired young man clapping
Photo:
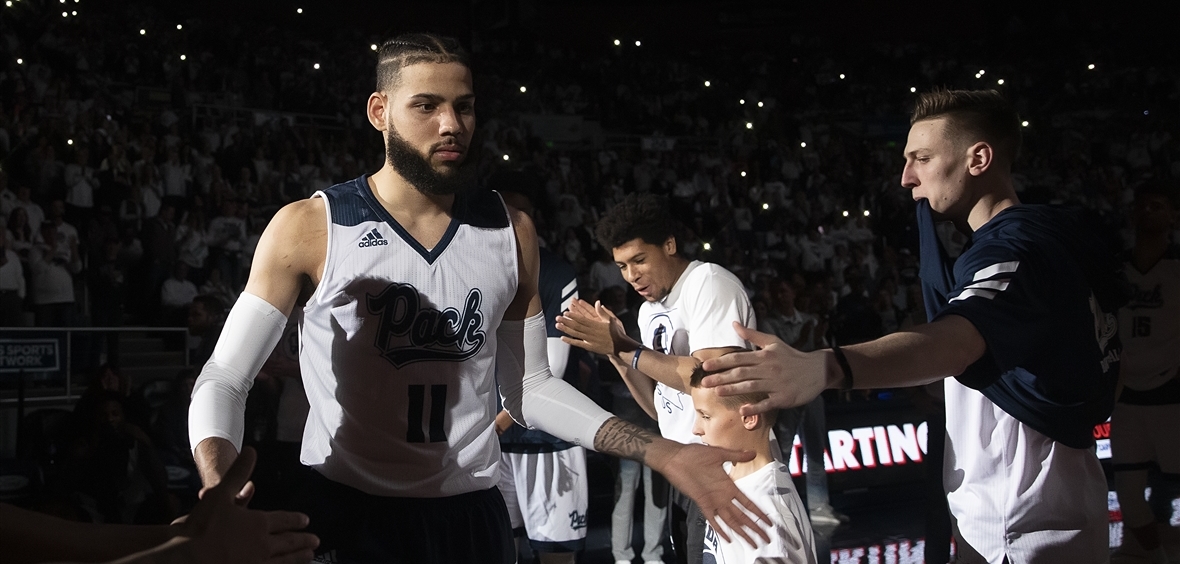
(697, 314)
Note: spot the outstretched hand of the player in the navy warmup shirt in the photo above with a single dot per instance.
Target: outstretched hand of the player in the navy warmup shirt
(789, 377)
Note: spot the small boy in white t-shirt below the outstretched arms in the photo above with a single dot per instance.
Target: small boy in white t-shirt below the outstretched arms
(764, 481)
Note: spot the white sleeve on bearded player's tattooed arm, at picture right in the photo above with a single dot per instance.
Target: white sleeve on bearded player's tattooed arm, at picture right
(533, 396)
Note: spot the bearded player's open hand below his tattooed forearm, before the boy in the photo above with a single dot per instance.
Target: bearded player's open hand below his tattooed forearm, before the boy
(698, 471)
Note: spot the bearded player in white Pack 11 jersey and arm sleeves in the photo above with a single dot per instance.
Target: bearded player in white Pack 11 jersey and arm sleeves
(422, 296)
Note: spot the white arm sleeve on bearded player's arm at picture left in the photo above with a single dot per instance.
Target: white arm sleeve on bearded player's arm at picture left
(219, 398)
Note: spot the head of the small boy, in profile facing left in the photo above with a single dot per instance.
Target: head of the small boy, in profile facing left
(719, 422)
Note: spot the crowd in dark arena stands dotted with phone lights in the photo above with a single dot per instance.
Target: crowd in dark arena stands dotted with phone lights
(136, 183)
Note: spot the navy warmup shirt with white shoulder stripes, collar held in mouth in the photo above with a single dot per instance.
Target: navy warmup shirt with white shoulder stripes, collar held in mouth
(1043, 292)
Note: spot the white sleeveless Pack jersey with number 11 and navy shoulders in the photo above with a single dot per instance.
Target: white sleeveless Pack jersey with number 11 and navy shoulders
(399, 347)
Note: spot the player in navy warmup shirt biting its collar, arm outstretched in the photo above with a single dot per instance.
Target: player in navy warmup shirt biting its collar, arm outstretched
(1025, 323)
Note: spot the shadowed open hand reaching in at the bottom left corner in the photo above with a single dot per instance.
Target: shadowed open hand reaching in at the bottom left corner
(221, 529)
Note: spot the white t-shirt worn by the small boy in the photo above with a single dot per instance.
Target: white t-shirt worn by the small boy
(792, 541)
